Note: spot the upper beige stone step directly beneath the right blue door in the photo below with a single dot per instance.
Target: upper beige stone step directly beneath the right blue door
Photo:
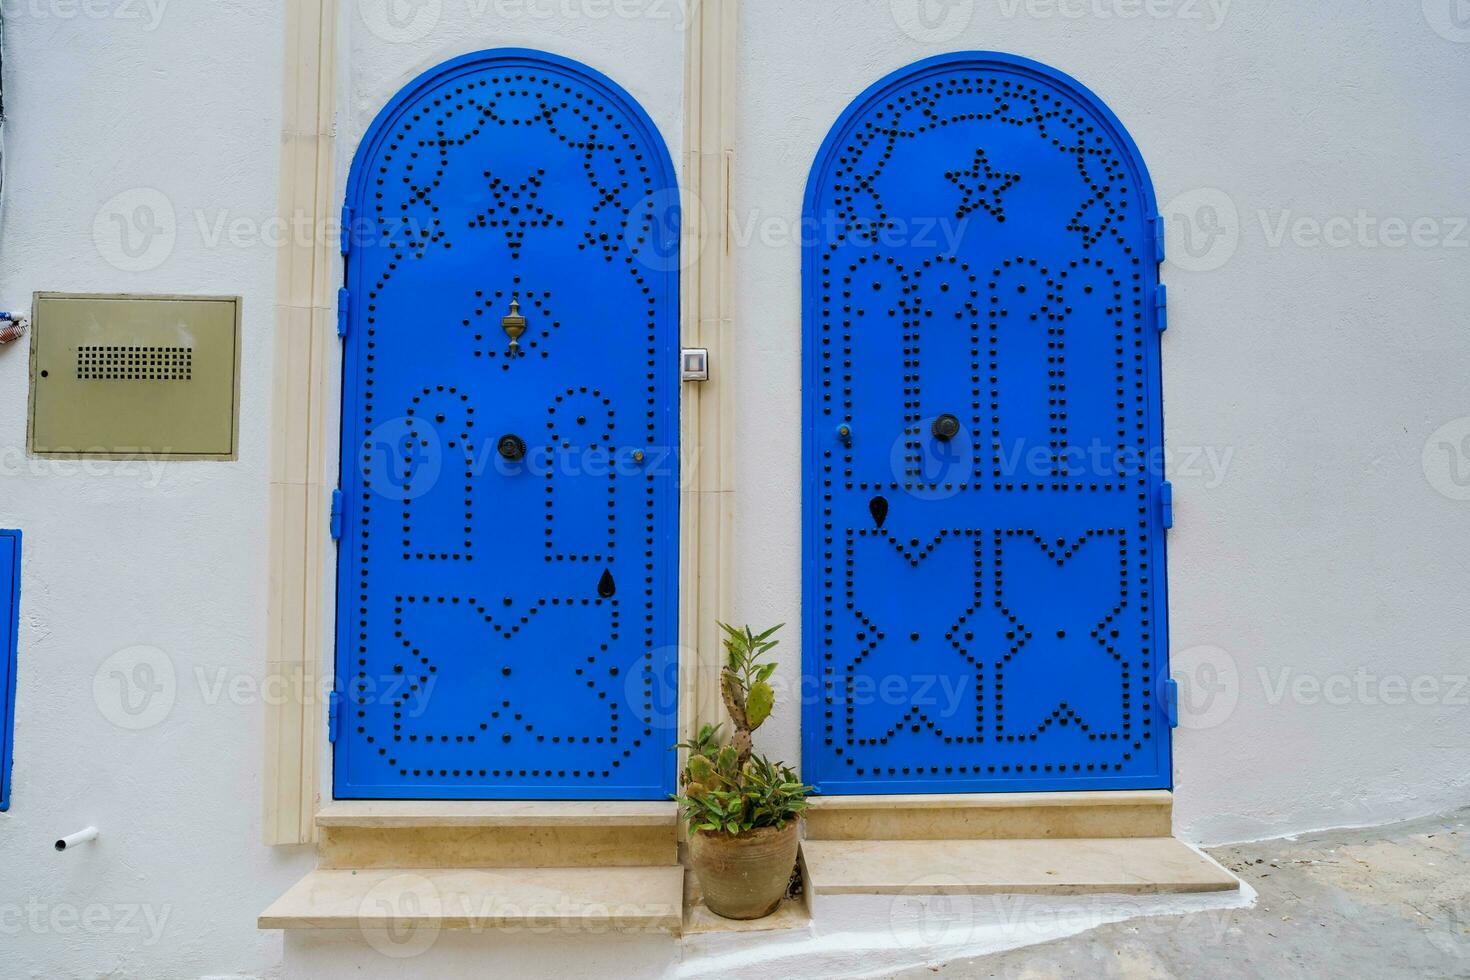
(992, 816)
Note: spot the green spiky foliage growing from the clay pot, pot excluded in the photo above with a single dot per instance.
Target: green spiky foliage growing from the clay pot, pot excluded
(725, 788)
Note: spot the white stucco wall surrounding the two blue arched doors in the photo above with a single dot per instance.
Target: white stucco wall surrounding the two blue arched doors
(1308, 377)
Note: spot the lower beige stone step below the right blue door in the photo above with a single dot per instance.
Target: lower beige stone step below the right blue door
(1109, 866)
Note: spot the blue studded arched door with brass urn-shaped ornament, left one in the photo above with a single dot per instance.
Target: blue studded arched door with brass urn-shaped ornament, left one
(506, 586)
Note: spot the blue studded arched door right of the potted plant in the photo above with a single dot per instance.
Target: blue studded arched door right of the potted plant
(984, 509)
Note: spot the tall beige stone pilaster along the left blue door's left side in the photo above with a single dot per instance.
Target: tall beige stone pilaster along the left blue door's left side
(306, 378)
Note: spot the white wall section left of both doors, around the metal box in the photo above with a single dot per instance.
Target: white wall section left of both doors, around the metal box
(177, 109)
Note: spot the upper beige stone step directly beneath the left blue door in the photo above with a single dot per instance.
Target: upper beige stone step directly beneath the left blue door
(496, 835)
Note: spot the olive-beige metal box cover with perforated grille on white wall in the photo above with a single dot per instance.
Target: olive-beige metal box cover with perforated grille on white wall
(126, 377)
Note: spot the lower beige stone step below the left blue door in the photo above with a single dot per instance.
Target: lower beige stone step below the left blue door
(549, 900)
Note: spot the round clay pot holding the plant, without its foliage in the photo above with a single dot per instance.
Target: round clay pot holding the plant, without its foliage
(745, 876)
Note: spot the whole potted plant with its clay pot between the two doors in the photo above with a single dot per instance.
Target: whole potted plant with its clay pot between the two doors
(743, 810)
